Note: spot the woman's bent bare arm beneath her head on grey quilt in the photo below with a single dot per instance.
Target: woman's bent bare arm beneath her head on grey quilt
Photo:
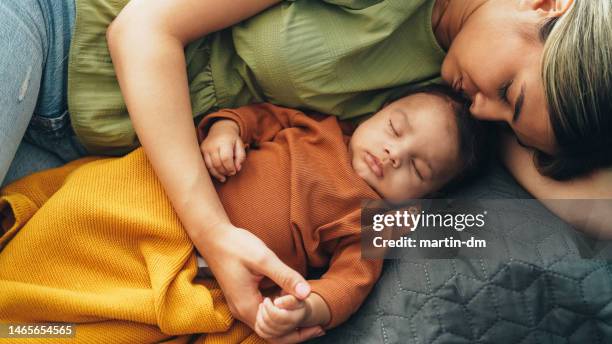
(591, 208)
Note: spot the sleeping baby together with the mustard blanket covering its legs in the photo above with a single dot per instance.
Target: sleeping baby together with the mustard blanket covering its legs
(97, 243)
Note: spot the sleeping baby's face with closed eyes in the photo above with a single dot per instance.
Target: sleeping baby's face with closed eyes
(408, 149)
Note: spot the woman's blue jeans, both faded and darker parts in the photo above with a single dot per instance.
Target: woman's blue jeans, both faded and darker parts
(35, 131)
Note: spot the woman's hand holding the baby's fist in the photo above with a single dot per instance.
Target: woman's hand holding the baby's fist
(239, 261)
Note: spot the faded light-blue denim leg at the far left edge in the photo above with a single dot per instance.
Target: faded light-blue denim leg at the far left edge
(23, 38)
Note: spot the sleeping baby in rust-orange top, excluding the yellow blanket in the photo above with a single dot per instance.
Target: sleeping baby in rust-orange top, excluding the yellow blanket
(305, 179)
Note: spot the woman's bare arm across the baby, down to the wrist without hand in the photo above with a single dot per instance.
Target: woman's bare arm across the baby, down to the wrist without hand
(147, 42)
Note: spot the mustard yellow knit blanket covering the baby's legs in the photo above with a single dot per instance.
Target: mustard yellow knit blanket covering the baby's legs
(96, 243)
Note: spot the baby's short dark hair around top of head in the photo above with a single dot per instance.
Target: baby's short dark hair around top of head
(472, 134)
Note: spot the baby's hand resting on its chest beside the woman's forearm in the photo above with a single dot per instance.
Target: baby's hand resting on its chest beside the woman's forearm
(223, 150)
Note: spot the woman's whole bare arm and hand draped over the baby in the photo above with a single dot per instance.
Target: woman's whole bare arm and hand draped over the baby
(147, 42)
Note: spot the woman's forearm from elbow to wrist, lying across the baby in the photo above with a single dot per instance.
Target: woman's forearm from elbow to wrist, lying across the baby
(151, 73)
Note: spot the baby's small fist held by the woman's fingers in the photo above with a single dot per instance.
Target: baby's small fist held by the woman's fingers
(281, 317)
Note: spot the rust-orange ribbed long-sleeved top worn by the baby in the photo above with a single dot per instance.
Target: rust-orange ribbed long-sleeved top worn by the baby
(298, 192)
